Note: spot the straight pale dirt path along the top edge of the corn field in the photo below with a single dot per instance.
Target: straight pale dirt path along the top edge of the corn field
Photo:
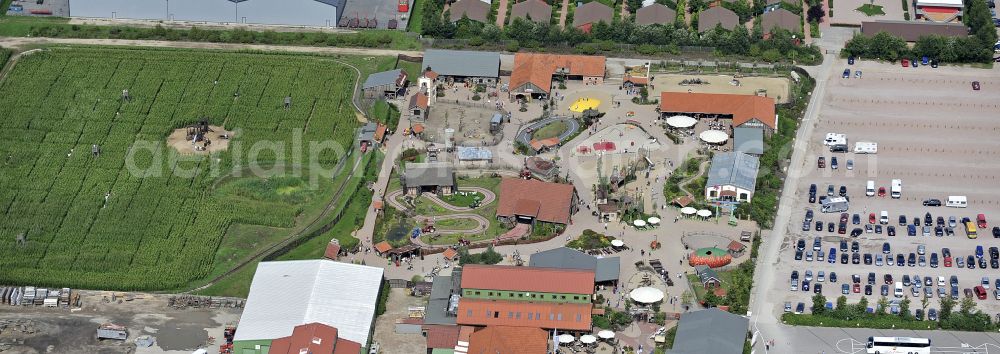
(20, 42)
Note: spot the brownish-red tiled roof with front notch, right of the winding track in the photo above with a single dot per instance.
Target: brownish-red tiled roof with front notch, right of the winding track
(555, 199)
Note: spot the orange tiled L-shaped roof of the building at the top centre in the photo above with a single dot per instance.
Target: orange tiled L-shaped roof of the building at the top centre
(538, 69)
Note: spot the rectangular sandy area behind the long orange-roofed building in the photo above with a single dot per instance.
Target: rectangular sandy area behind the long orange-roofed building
(777, 88)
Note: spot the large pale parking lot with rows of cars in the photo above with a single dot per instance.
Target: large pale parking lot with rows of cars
(934, 133)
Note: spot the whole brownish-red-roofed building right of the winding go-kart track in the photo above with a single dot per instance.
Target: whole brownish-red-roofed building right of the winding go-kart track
(527, 201)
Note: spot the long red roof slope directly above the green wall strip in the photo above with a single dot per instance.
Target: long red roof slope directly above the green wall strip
(528, 279)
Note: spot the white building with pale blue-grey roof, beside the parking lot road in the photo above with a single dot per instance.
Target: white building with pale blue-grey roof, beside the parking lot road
(732, 177)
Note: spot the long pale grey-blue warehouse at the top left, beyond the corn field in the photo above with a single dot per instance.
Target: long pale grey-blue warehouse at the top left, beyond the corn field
(312, 13)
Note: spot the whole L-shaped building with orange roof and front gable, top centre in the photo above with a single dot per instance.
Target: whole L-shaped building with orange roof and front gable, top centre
(533, 73)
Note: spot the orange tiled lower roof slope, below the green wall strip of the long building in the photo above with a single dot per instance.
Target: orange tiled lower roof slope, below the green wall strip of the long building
(505, 313)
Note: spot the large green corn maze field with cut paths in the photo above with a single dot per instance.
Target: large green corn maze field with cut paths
(159, 229)
